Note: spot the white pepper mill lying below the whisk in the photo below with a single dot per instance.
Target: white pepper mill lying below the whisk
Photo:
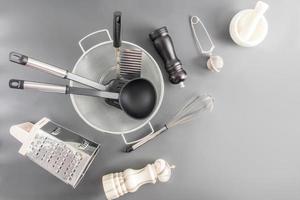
(118, 184)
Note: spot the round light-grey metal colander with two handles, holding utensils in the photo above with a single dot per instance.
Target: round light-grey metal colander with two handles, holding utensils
(97, 63)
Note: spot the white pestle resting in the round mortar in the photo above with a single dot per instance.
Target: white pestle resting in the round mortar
(251, 21)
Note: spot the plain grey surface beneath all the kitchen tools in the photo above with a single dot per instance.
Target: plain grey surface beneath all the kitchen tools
(248, 148)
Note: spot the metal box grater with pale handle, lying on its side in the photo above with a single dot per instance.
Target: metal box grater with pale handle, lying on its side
(58, 150)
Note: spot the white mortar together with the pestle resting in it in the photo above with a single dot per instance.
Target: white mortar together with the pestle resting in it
(249, 27)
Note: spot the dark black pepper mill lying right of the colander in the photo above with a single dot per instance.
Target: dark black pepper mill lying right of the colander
(164, 46)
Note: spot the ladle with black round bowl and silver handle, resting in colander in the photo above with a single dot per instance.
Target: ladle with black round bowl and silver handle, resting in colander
(137, 97)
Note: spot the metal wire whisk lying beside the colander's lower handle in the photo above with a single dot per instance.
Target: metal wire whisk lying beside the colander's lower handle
(185, 114)
